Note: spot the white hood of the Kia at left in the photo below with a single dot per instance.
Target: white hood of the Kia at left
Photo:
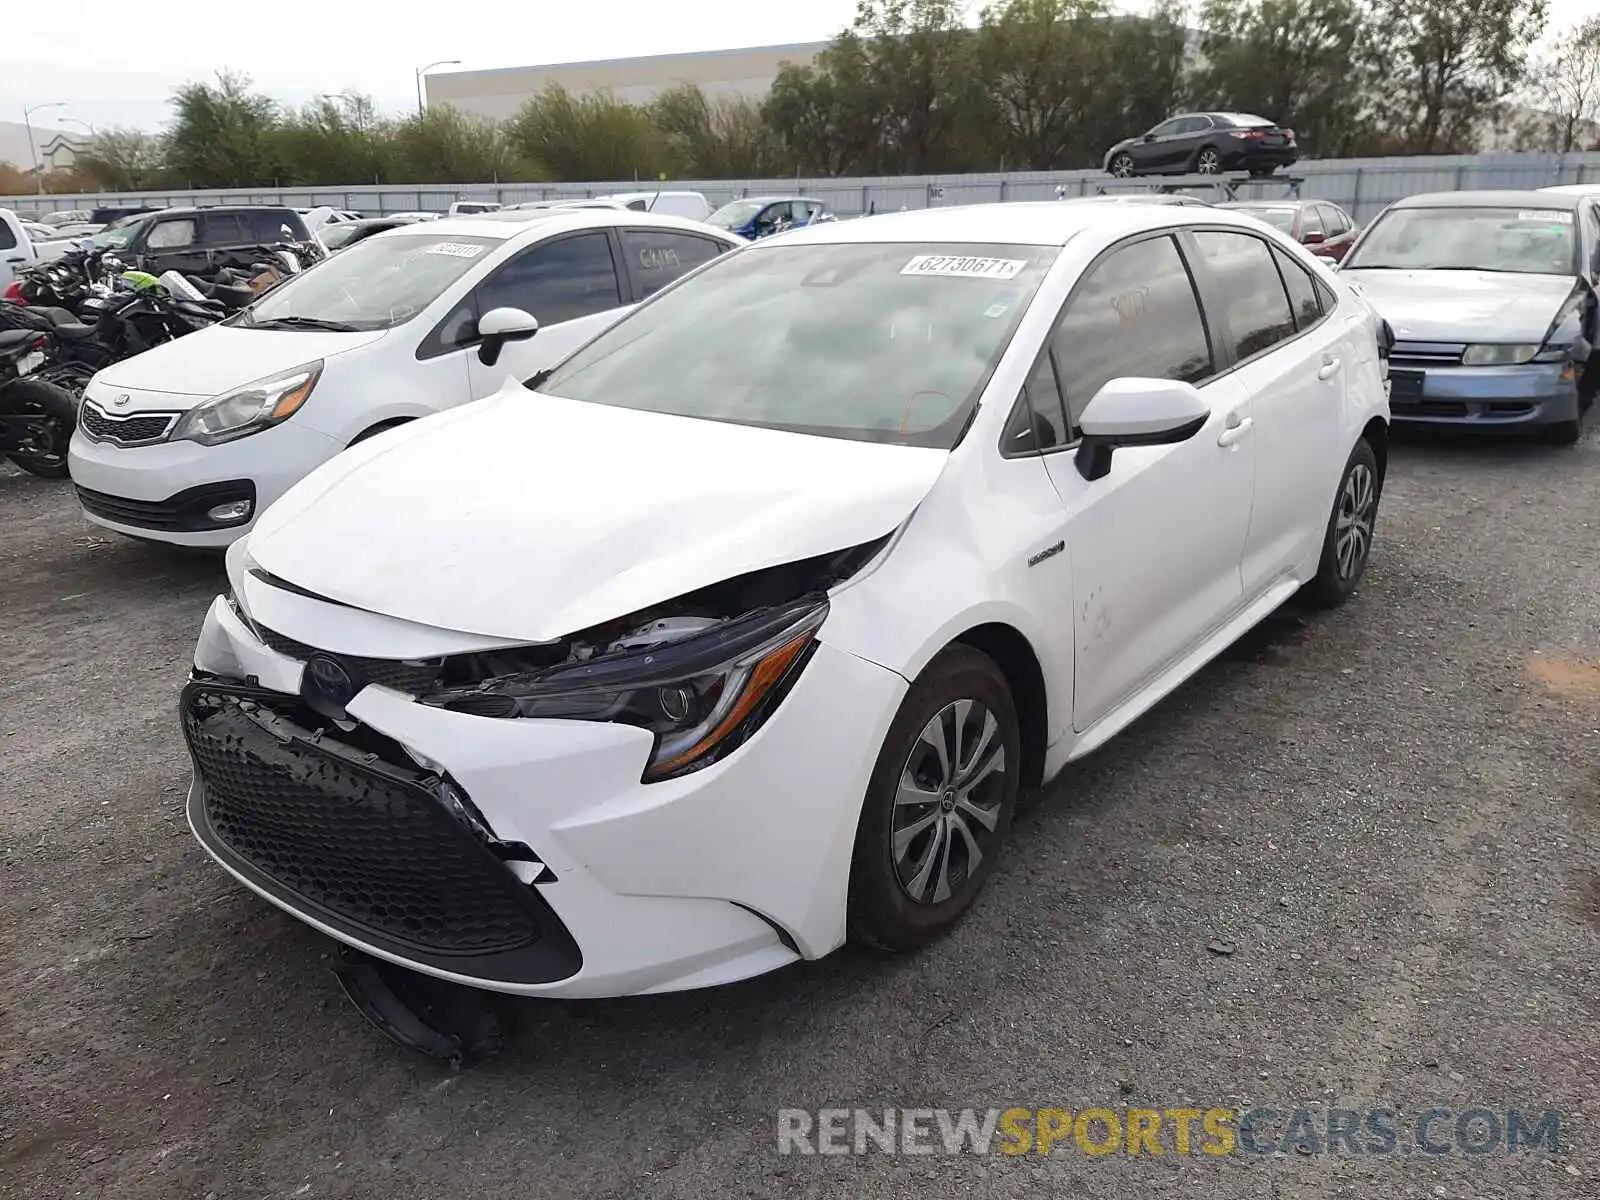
(223, 358)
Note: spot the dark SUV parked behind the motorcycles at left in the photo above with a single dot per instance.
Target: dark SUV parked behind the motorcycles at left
(201, 241)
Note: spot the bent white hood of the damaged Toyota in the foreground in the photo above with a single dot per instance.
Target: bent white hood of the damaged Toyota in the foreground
(529, 518)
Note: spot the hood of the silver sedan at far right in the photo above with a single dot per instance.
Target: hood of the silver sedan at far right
(1463, 306)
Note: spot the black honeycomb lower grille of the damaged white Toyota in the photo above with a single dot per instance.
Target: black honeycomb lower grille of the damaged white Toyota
(345, 834)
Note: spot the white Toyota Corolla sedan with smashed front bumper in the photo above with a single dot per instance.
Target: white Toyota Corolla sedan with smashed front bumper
(740, 633)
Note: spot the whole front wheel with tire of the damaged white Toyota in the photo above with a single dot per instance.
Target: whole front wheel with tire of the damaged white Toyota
(905, 903)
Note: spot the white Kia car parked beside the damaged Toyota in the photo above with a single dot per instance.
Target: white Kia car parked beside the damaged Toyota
(191, 441)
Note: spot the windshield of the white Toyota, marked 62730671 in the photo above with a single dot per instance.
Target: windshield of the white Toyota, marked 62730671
(873, 343)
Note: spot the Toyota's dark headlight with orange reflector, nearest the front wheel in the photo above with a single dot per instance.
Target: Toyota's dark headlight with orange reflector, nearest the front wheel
(702, 697)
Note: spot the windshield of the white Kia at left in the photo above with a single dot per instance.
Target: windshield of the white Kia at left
(374, 286)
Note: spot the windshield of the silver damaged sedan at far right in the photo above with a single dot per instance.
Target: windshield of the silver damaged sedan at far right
(1519, 241)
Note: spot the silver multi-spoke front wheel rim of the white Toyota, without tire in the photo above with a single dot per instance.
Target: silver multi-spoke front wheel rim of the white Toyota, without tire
(948, 806)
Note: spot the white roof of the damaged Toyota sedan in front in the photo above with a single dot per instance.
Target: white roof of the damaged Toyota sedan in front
(1038, 223)
